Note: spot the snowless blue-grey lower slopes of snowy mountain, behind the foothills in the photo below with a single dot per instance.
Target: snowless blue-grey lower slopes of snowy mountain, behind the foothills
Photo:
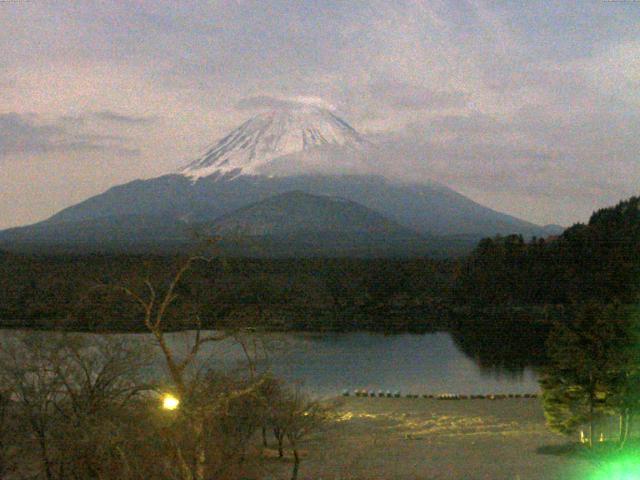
(430, 209)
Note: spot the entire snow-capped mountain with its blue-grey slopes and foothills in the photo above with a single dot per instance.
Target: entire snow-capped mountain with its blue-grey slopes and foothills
(307, 150)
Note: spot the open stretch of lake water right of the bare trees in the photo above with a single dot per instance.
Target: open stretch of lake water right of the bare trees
(429, 363)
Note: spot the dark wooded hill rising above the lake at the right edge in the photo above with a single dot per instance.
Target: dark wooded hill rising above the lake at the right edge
(597, 262)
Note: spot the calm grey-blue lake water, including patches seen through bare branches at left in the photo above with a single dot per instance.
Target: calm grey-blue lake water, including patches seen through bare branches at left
(326, 364)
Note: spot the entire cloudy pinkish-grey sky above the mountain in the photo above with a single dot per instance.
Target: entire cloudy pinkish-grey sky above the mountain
(529, 107)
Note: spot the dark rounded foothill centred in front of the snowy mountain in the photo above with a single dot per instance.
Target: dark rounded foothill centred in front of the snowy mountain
(300, 224)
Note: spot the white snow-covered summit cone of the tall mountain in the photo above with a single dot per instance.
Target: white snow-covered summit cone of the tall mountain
(250, 148)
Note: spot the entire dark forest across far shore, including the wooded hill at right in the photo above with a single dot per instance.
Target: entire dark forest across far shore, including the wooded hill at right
(505, 282)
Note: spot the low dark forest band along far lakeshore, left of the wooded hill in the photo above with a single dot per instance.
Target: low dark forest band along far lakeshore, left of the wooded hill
(317, 294)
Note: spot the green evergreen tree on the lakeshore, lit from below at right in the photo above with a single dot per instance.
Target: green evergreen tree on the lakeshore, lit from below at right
(590, 363)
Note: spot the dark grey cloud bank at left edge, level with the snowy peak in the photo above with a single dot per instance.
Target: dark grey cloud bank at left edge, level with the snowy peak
(27, 134)
